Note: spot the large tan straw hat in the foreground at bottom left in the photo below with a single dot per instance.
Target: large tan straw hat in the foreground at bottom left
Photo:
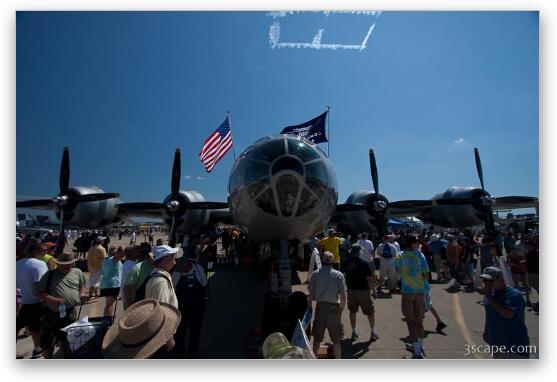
(141, 330)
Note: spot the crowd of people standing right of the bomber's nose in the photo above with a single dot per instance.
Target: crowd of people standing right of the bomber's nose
(343, 272)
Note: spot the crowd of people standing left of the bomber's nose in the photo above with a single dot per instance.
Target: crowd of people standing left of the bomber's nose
(51, 287)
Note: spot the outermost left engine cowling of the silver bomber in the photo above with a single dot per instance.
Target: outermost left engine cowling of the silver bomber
(94, 214)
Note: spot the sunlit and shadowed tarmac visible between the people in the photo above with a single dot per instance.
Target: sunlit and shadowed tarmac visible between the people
(234, 312)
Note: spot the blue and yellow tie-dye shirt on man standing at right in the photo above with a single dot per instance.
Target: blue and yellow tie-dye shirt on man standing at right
(412, 266)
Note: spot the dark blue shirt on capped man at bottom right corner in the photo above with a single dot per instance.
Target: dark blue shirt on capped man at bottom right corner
(507, 332)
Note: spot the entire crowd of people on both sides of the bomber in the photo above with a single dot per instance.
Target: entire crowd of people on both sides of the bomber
(343, 272)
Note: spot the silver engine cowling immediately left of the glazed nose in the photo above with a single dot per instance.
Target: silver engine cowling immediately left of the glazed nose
(190, 221)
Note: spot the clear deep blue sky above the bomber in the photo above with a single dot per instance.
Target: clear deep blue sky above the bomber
(123, 90)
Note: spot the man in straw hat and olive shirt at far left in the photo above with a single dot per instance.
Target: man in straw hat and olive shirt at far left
(61, 290)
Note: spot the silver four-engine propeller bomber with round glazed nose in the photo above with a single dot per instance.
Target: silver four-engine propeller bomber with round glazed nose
(282, 187)
